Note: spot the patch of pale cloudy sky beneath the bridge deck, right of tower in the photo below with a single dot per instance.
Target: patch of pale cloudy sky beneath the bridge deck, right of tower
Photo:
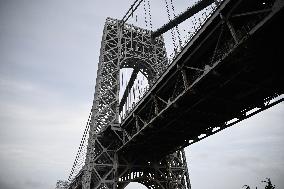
(245, 153)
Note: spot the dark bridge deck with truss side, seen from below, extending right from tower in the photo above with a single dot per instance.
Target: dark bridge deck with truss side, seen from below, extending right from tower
(234, 65)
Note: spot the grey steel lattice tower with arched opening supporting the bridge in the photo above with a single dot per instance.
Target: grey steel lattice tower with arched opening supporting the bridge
(126, 46)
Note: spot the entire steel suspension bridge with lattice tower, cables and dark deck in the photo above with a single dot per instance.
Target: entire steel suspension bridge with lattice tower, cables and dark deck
(150, 102)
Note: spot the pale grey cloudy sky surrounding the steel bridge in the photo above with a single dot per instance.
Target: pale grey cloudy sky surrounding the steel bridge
(49, 51)
